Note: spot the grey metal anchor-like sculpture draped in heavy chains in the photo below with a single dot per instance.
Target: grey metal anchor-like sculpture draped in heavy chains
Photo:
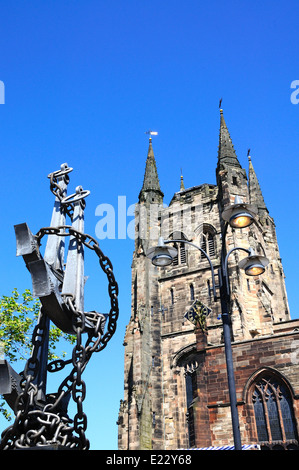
(41, 419)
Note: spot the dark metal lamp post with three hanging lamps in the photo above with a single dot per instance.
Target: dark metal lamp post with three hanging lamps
(238, 215)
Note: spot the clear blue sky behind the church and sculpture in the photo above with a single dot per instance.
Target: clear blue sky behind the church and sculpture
(85, 79)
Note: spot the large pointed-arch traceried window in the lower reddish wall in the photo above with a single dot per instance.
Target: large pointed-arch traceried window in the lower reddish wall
(273, 410)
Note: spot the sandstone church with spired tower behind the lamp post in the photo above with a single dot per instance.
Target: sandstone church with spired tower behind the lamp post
(175, 380)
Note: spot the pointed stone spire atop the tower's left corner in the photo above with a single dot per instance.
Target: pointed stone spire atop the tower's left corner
(151, 179)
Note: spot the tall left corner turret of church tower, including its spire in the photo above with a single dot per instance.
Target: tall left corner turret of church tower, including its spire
(142, 337)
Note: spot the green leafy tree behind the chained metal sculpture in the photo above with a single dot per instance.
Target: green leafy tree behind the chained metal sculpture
(18, 317)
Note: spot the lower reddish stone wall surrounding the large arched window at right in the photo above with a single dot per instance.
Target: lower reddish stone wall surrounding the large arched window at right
(278, 353)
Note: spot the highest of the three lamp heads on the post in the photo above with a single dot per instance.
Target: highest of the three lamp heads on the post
(239, 215)
